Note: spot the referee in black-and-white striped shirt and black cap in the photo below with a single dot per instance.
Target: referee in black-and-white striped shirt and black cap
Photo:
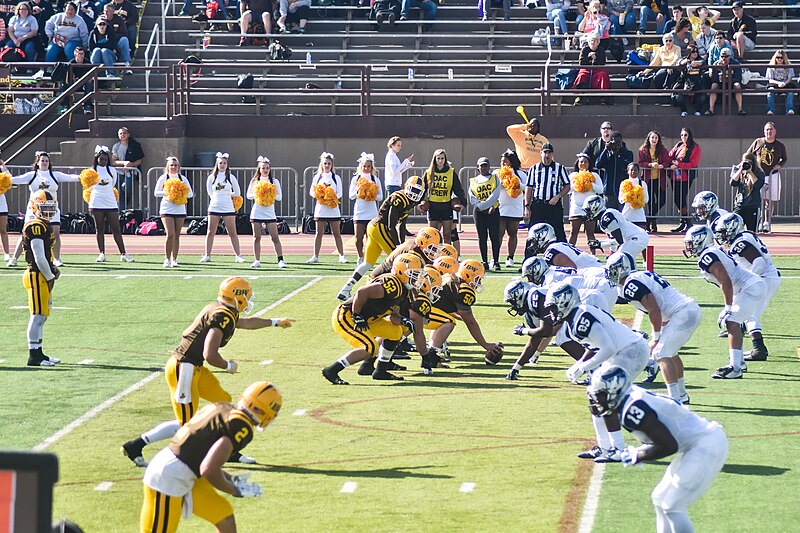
(547, 185)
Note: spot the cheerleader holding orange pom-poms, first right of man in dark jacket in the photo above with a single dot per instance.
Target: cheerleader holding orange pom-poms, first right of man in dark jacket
(173, 209)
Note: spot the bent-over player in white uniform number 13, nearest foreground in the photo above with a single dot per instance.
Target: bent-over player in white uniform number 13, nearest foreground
(664, 428)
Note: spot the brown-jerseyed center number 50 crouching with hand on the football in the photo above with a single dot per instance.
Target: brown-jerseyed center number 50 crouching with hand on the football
(457, 297)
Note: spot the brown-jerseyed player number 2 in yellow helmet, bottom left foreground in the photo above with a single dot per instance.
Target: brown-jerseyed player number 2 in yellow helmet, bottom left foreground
(185, 476)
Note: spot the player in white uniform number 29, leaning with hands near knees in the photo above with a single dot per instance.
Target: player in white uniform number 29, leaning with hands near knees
(674, 317)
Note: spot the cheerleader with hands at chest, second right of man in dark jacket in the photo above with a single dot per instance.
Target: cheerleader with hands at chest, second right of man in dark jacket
(222, 187)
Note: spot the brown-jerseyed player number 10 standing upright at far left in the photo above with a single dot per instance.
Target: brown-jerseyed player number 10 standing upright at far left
(38, 240)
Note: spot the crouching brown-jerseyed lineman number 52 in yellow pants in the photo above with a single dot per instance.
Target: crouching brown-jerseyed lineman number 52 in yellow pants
(372, 314)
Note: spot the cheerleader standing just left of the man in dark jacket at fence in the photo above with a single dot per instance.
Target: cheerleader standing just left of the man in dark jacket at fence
(103, 205)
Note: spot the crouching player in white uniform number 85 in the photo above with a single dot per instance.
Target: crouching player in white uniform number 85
(610, 343)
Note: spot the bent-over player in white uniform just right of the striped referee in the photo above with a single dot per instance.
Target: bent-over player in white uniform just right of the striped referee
(624, 234)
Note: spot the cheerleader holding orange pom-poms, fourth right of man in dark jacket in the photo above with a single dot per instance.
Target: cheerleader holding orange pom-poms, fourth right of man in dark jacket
(326, 189)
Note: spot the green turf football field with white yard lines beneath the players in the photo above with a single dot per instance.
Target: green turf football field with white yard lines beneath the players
(463, 450)
